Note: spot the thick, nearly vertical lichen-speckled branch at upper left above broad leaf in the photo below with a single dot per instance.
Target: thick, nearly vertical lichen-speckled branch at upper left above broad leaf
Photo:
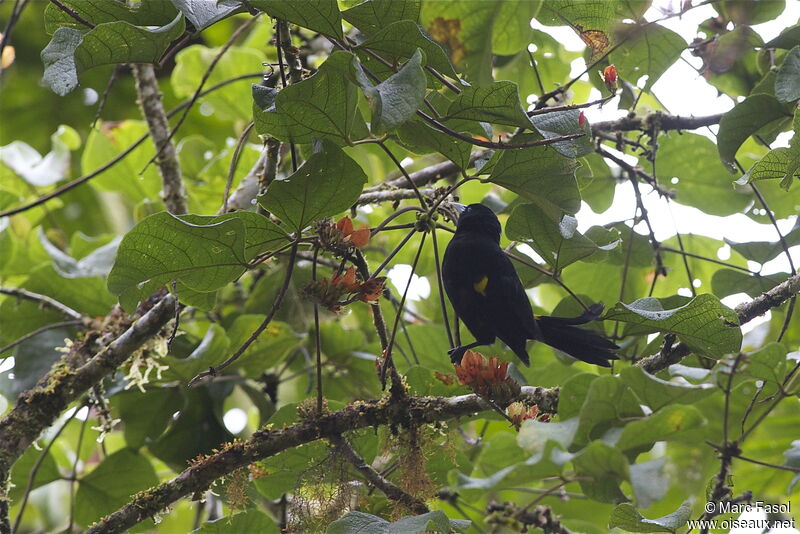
(169, 167)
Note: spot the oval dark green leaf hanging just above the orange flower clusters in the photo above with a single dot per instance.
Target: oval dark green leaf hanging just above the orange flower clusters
(327, 183)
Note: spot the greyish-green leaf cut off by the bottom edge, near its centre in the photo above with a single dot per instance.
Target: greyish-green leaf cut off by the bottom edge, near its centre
(360, 522)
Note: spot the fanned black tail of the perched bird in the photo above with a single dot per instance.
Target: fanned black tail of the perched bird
(562, 333)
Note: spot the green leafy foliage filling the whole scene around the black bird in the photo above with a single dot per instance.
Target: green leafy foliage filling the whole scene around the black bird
(613, 437)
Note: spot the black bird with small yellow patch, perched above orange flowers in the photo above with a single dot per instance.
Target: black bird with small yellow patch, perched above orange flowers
(488, 296)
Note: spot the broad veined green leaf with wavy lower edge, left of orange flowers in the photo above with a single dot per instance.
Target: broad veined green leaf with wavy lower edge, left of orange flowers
(163, 247)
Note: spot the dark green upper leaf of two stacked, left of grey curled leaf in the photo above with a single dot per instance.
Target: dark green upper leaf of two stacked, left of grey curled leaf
(323, 106)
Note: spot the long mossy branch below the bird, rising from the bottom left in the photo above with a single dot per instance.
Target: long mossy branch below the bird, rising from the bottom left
(265, 443)
